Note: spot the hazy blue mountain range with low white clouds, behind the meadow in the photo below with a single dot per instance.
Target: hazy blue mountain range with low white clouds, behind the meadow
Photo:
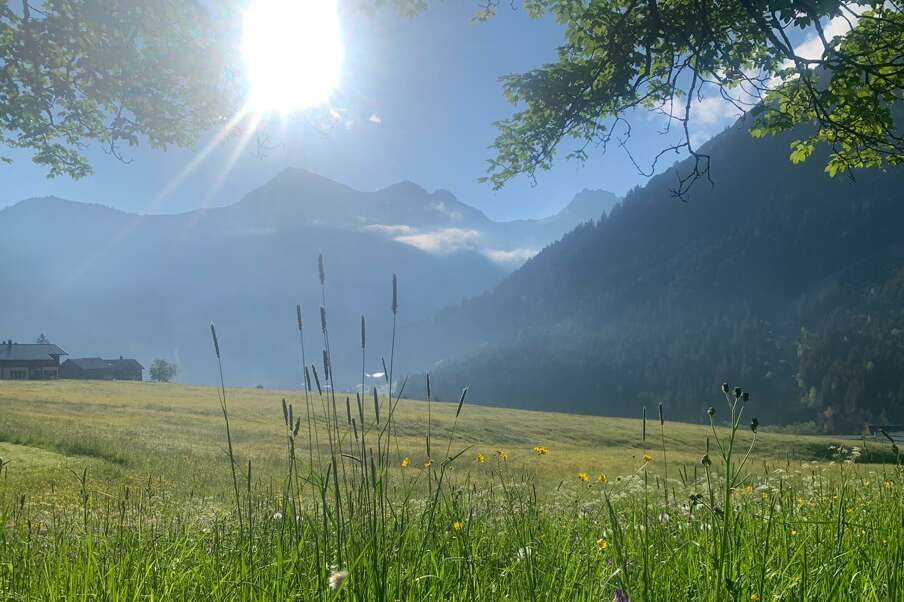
(102, 282)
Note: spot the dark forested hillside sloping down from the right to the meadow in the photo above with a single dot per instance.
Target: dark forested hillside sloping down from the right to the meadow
(776, 277)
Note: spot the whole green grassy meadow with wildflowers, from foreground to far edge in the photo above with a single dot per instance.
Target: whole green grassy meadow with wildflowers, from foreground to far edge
(123, 491)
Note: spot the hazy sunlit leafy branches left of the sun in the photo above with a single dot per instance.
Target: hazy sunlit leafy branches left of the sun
(113, 72)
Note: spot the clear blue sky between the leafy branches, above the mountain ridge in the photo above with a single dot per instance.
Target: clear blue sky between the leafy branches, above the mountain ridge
(417, 100)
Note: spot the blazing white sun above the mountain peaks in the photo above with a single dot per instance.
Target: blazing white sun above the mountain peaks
(293, 53)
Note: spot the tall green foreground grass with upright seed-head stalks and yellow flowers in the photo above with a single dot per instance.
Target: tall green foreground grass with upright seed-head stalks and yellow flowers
(352, 518)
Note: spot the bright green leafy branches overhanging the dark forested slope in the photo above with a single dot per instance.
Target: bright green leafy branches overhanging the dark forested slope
(623, 55)
